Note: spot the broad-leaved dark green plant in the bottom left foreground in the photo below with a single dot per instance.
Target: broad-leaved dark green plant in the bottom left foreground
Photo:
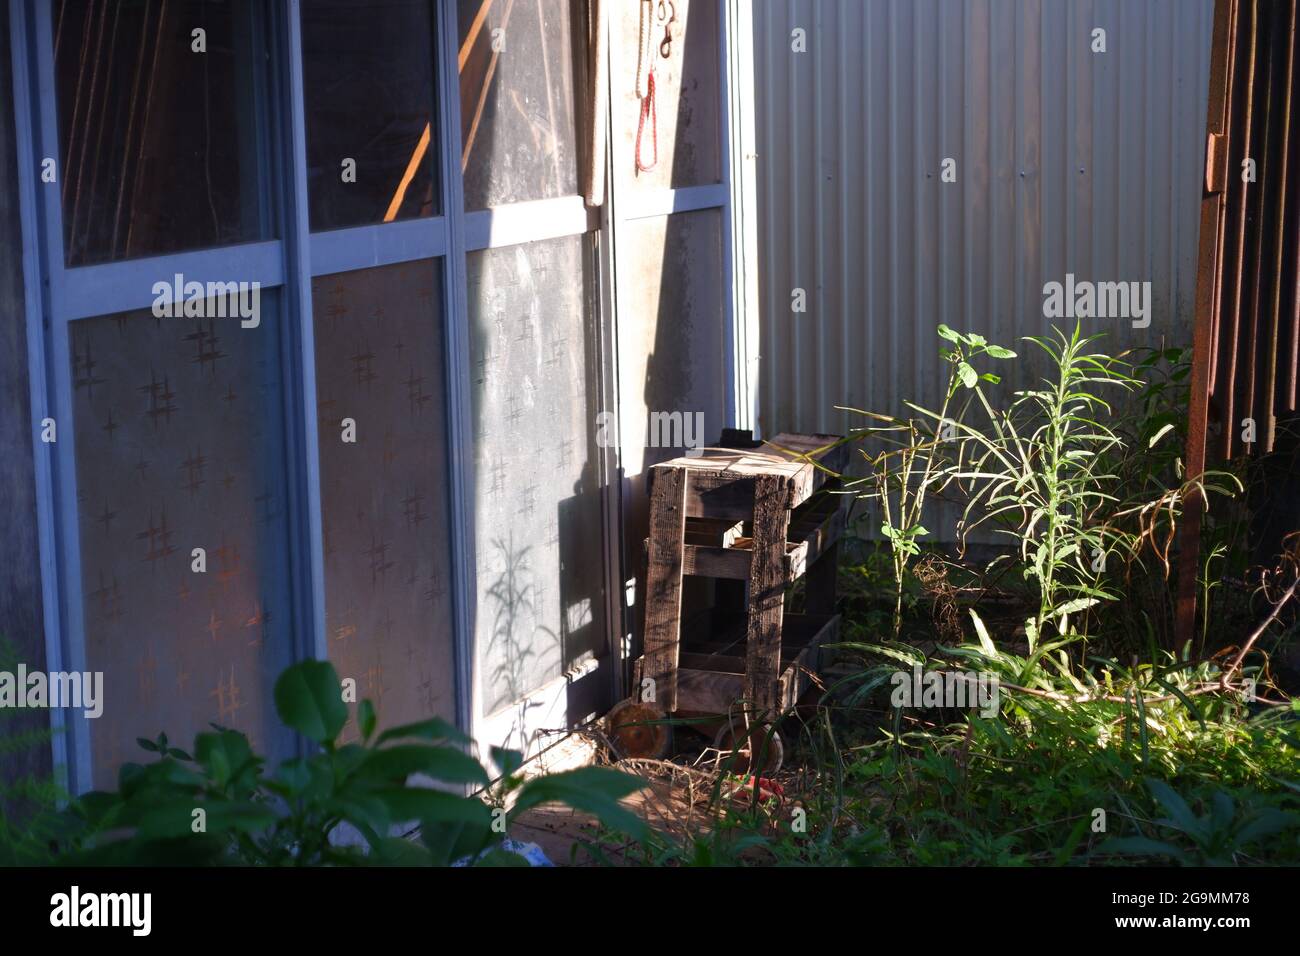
(345, 804)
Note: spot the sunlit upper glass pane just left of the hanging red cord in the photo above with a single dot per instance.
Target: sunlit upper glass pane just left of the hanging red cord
(518, 88)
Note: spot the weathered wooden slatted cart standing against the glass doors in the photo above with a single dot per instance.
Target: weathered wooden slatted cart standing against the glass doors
(766, 517)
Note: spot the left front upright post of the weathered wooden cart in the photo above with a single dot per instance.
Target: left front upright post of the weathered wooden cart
(664, 586)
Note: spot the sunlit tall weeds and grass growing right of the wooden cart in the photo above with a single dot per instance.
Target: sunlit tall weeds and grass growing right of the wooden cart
(1110, 743)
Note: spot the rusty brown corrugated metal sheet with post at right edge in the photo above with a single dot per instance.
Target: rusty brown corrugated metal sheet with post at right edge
(1247, 319)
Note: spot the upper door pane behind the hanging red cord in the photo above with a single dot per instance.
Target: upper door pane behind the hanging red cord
(687, 101)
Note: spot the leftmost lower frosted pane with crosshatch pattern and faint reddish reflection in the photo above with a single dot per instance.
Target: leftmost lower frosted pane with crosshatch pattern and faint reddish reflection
(179, 445)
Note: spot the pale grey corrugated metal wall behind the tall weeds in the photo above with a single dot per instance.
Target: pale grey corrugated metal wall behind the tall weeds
(1068, 162)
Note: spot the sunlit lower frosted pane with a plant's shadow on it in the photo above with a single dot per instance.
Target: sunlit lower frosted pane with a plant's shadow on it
(539, 531)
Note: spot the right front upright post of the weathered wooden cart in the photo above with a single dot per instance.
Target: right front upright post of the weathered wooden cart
(768, 592)
